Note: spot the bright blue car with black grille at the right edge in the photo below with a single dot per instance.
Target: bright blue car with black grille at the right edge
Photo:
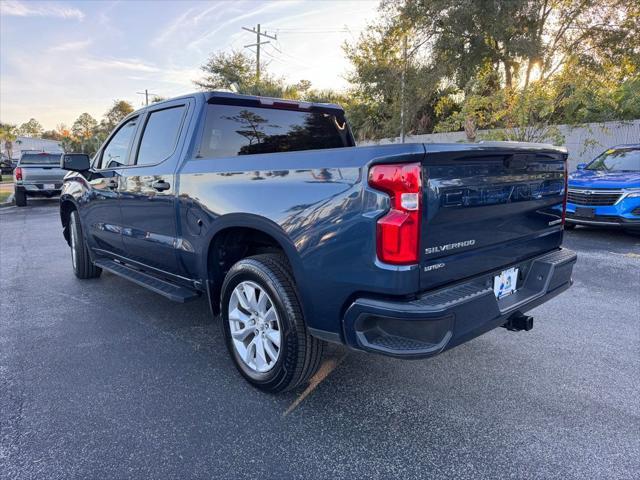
(606, 191)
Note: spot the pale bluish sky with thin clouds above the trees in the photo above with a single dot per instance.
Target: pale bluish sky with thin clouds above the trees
(60, 59)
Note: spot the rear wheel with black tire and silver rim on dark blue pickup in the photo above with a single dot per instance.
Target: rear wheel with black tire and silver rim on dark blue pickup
(298, 354)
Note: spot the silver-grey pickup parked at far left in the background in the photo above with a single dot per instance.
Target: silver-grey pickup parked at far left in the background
(37, 175)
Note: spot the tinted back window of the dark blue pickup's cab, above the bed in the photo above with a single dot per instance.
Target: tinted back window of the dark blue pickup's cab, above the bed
(232, 130)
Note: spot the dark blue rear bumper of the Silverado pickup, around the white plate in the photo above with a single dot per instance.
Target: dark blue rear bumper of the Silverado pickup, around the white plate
(449, 316)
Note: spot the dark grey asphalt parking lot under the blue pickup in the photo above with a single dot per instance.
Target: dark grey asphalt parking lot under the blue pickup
(103, 379)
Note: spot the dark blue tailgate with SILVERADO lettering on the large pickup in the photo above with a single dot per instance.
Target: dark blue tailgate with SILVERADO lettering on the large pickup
(488, 205)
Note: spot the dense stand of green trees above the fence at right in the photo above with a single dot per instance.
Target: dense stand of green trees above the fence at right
(496, 64)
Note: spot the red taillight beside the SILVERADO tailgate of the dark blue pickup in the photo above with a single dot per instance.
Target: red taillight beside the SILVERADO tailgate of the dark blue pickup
(398, 232)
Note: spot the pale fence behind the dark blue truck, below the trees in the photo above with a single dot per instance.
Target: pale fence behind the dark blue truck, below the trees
(583, 143)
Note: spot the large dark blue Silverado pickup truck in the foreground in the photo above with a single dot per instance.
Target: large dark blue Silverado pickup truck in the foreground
(297, 237)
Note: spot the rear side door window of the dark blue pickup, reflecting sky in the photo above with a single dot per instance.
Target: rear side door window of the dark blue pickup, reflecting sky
(160, 135)
